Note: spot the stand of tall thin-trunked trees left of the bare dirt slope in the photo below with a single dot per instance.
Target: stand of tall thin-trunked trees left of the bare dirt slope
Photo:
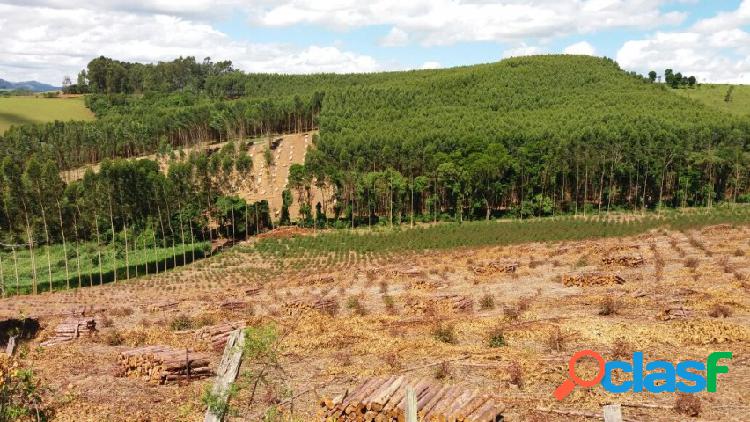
(133, 202)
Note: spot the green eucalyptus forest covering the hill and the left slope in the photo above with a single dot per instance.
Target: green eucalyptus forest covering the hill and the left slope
(526, 137)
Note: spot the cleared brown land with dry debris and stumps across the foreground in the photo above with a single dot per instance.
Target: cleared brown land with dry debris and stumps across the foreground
(684, 295)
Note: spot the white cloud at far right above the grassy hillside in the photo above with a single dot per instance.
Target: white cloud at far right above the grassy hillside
(715, 49)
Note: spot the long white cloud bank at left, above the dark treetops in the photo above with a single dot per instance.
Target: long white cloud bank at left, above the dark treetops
(46, 43)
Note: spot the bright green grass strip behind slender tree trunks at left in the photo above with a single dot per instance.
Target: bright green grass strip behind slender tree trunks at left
(84, 261)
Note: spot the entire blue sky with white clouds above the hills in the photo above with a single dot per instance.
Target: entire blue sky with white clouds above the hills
(46, 39)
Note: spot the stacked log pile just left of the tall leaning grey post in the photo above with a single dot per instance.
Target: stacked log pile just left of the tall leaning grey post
(163, 364)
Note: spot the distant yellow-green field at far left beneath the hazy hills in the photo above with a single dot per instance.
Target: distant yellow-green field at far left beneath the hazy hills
(16, 111)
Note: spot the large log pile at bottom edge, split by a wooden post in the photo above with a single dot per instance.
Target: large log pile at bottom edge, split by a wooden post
(384, 399)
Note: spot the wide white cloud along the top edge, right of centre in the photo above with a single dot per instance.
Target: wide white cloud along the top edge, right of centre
(444, 22)
